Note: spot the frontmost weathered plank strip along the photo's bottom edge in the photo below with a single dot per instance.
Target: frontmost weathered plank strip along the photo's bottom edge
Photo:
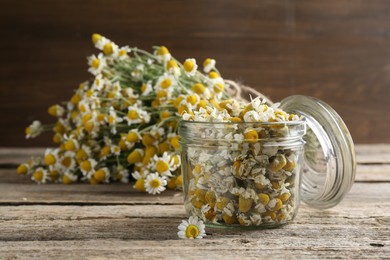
(276, 247)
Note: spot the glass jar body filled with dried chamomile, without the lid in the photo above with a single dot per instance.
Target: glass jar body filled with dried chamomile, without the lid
(242, 175)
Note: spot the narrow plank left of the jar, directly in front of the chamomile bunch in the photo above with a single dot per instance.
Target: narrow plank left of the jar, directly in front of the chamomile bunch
(82, 194)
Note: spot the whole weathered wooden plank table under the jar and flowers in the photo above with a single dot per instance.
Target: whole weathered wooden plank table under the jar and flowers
(83, 221)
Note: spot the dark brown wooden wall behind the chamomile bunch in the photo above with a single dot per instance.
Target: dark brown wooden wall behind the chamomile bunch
(335, 50)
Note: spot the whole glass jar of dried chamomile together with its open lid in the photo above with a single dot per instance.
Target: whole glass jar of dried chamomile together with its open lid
(252, 175)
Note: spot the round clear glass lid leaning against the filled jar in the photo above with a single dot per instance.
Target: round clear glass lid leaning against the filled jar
(329, 162)
